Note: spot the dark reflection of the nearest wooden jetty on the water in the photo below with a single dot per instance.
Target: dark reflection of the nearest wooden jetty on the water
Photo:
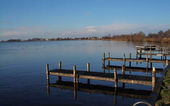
(90, 88)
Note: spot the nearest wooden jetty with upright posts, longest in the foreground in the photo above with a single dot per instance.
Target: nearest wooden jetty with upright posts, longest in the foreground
(113, 77)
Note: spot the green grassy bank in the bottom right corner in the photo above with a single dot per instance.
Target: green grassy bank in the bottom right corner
(165, 91)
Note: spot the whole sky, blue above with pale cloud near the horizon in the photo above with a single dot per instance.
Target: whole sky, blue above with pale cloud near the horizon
(73, 18)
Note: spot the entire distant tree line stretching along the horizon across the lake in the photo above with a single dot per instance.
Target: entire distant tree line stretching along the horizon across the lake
(160, 37)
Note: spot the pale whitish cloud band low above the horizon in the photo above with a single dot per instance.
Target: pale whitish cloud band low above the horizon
(121, 28)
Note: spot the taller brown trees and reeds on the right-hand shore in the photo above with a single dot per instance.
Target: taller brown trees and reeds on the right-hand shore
(161, 37)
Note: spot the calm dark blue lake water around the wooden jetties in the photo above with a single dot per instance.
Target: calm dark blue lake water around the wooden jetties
(23, 76)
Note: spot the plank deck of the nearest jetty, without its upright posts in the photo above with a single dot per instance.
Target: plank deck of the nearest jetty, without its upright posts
(132, 79)
